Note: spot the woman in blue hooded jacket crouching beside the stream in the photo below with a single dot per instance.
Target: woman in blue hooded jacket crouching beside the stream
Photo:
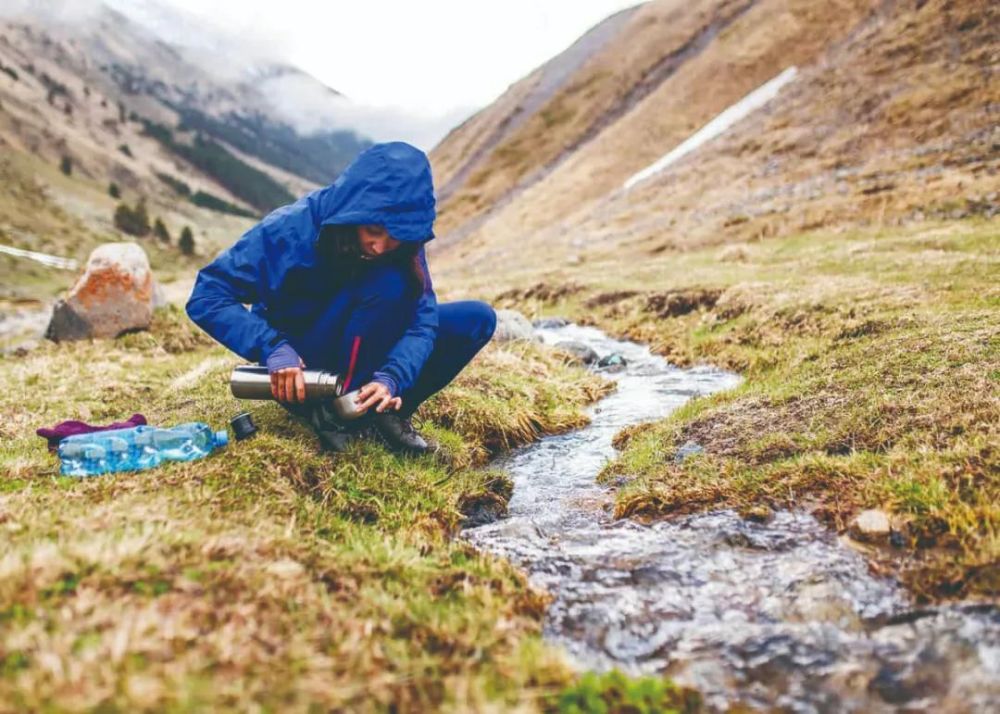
(342, 272)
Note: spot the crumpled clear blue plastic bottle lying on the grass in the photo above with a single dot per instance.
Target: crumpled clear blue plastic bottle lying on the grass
(141, 447)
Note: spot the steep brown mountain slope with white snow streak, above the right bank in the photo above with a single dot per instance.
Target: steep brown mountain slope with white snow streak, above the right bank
(892, 117)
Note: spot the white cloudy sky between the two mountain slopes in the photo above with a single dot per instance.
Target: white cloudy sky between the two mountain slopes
(428, 57)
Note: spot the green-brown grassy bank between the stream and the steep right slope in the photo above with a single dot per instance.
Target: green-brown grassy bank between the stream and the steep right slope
(872, 364)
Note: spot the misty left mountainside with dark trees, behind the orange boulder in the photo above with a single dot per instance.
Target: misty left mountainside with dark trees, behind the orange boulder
(97, 109)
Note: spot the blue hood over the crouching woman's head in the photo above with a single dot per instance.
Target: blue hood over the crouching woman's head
(388, 184)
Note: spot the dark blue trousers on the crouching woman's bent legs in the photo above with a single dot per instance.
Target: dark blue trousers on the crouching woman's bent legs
(378, 307)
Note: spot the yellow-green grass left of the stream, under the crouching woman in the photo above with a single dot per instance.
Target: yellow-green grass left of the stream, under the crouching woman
(271, 576)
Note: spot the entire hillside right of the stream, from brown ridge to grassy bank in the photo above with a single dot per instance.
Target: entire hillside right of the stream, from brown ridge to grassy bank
(838, 247)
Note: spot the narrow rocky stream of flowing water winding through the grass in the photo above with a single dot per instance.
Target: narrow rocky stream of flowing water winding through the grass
(776, 615)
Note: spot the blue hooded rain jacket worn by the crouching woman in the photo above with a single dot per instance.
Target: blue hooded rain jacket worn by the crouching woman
(274, 266)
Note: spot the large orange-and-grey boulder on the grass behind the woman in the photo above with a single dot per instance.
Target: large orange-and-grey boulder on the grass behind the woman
(115, 294)
